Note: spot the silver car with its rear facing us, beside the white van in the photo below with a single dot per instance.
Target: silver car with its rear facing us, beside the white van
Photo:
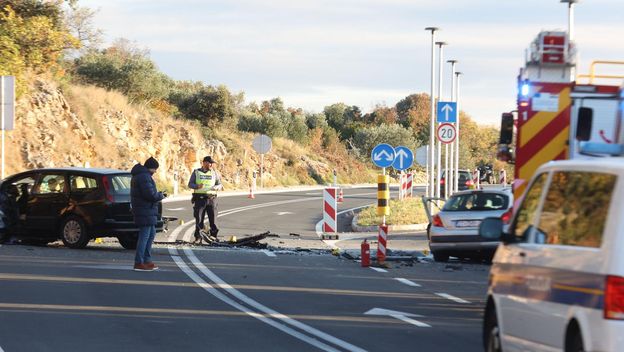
(454, 231)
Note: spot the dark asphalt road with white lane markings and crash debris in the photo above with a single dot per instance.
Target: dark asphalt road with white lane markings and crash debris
(57, 299)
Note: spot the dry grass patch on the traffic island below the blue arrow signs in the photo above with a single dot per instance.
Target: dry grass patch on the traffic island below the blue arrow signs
(405, 212)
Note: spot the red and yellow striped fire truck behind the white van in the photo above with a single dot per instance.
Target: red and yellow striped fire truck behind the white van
(558, 110)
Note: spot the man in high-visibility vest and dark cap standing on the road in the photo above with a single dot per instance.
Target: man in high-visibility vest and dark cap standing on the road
(205, 182)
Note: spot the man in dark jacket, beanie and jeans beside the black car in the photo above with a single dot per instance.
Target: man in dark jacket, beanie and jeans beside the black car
(145, 199)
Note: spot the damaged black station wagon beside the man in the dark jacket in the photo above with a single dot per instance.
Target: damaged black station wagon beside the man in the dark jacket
(71, 204)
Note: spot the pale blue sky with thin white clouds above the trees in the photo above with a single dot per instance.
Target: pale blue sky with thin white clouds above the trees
(313, 53)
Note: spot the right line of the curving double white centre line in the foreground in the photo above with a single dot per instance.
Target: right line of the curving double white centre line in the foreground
(274, 314)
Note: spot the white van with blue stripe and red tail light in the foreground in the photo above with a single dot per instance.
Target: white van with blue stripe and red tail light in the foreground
(557, 279)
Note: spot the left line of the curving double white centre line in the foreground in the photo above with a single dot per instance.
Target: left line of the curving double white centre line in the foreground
(213, 291)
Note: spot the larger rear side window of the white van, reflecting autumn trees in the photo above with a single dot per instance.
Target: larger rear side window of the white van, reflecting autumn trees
(575, 209)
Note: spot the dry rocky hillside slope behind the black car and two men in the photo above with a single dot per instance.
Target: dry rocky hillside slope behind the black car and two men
(89, 126)
